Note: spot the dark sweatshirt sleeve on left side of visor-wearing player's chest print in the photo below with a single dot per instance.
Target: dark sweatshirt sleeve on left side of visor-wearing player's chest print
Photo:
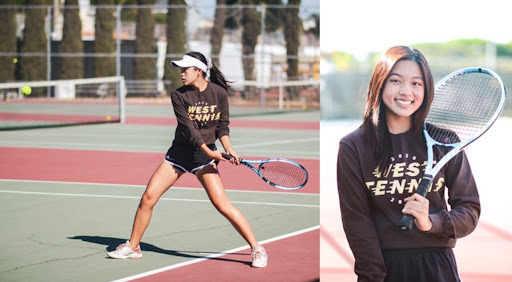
(186, 126)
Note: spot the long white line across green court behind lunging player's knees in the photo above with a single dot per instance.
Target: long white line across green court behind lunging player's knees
(162, 199)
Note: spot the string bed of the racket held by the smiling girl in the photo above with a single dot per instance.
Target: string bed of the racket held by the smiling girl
(463, 107)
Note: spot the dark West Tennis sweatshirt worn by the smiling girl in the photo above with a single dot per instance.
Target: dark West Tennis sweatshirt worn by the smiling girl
(371, 203)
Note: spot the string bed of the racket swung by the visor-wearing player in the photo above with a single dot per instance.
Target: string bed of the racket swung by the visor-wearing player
(284, 173)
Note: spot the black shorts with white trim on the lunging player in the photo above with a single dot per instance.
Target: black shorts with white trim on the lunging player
(188, 158)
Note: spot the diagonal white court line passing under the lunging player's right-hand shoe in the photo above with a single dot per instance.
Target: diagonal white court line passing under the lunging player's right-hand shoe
(215, 255)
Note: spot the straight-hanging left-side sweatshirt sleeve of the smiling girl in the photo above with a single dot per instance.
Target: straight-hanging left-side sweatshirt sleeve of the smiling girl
(355, 206)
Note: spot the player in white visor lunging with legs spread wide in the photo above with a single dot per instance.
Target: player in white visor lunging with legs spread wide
(202, 110)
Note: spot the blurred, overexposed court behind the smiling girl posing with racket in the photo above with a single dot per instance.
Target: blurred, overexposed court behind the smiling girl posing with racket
(484, 255)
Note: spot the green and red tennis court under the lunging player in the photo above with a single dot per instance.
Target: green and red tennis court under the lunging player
(68, 195)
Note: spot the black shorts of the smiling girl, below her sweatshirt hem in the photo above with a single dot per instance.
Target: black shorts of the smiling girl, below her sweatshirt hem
(422, 264)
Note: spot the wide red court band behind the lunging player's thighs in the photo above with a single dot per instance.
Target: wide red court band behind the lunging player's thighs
(122, 168)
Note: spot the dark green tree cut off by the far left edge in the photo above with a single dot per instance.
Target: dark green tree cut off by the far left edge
(7, 41)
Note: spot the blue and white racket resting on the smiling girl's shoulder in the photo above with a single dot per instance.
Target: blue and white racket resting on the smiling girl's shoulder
(466, 103)
